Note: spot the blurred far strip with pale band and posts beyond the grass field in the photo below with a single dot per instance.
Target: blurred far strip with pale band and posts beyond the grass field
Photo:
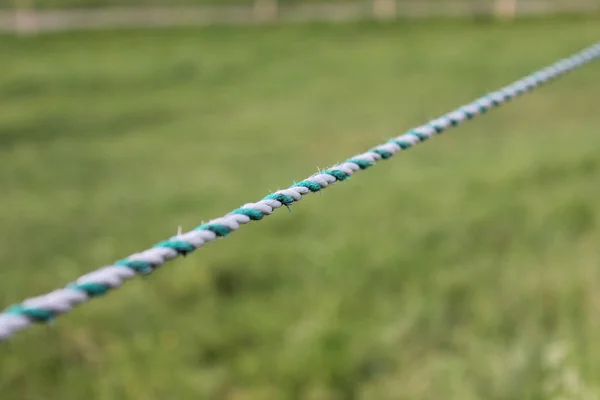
(33, 15)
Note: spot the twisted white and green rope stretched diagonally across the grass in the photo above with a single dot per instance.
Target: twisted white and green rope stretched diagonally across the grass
(45, 308)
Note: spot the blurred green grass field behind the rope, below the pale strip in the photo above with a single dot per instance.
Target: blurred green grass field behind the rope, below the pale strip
(453, 271)
